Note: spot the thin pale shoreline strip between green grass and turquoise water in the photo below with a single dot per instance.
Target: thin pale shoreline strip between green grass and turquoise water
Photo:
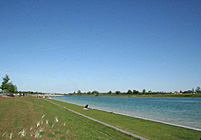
(188, 127)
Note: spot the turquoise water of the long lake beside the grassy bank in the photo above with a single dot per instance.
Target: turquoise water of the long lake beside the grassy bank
(178, 111)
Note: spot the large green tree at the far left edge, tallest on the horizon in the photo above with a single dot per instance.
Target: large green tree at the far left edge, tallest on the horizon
(6, 85)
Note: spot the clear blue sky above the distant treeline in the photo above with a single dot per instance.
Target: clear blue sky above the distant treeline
(60, 46)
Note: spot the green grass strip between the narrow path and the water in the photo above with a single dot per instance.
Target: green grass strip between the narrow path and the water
(144, 128)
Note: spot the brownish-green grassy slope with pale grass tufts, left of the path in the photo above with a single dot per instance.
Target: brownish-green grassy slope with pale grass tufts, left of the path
(22, 114)
